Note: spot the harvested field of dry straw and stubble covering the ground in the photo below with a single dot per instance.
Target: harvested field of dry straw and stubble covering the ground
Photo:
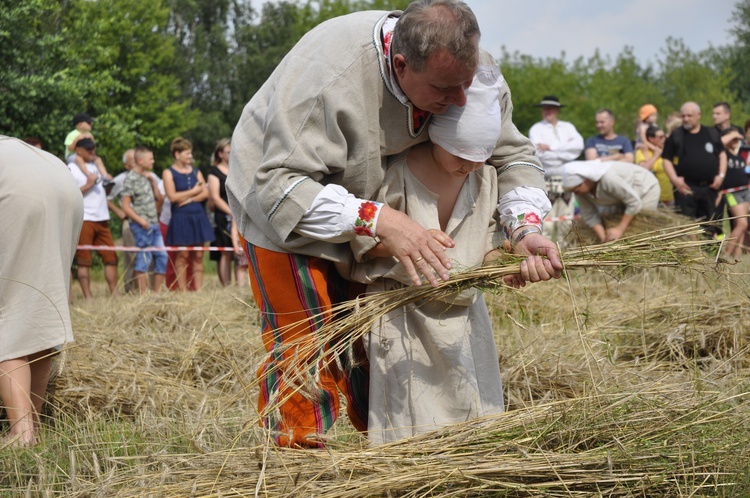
(619, 382)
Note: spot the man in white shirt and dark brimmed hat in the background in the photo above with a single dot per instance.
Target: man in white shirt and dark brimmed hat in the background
(557, 142)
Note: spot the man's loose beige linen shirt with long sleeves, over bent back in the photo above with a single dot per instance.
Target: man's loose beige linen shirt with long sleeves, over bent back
(329, 116)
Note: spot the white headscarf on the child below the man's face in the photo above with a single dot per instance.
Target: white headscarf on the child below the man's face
(472, 131)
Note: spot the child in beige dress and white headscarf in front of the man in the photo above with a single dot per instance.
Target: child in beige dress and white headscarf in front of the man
(435, 363)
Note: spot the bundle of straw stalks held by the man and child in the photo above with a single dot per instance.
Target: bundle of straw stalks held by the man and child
(352, 320)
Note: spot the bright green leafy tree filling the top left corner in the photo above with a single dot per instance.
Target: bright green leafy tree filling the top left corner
(110, 58)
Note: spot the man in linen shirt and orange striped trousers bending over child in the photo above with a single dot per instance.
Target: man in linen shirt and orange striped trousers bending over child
(309, 154)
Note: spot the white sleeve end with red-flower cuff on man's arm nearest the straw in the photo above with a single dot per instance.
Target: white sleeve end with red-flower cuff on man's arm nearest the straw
(337, 216)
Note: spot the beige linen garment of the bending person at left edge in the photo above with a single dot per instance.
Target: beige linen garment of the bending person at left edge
(42, 213)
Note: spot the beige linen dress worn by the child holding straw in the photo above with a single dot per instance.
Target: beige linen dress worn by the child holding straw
(433, 363)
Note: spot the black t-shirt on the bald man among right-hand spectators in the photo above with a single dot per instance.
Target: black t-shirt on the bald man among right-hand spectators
(697, 159)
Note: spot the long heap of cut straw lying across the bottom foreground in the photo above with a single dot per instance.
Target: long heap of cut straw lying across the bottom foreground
(639, 444)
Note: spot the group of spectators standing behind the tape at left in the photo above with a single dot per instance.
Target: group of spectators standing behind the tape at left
(166, 227)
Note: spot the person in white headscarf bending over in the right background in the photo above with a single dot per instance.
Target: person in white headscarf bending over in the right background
(611, 184)
